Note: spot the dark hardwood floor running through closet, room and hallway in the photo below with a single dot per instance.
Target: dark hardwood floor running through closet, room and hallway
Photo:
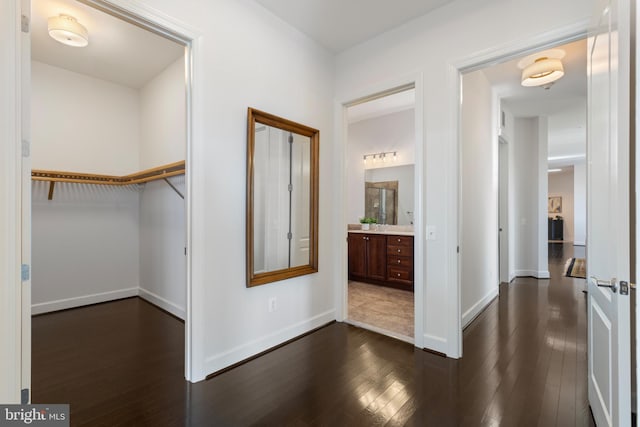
(524, 364)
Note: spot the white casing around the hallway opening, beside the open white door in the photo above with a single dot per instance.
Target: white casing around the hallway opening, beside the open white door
(456, 68)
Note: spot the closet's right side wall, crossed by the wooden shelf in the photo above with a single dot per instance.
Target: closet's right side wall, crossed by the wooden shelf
(162, 212)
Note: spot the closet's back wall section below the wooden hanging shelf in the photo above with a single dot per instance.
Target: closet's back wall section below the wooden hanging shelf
(85, 245)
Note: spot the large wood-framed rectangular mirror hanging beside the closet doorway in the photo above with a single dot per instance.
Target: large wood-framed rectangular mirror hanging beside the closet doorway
(282, 198)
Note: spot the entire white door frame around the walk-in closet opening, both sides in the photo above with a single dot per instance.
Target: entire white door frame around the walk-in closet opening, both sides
(10, 77)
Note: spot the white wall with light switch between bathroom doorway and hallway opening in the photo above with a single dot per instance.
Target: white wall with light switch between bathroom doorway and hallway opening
(428, 48)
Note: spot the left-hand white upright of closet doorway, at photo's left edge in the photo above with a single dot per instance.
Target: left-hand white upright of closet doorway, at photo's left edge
(10, 200)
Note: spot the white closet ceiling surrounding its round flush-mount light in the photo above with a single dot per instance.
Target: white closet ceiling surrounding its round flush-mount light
(118, 52)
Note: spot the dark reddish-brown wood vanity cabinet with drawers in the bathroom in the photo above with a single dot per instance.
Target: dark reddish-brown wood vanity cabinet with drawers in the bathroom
(381, 259)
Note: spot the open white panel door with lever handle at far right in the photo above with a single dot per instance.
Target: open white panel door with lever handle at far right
(608, 257)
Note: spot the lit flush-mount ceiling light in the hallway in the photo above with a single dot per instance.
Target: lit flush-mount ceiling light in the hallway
(542, 68)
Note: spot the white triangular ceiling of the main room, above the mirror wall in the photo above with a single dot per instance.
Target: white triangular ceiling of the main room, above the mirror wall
(341, 24)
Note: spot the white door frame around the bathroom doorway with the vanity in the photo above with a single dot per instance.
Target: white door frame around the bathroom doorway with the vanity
(341, 154)
